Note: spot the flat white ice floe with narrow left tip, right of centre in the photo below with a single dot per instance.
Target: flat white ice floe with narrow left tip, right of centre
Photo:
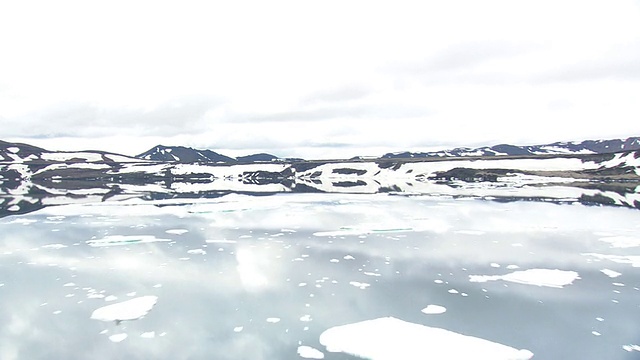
(541, 277)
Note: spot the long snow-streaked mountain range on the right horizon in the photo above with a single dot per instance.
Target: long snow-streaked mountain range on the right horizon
(557, 148)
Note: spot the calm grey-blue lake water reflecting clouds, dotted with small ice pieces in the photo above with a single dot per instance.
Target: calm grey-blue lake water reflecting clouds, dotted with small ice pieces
(246, 277)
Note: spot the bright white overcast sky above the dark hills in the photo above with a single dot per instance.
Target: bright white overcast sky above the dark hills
(317, 79)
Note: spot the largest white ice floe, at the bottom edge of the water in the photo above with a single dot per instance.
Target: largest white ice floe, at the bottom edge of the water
(390, 339)
